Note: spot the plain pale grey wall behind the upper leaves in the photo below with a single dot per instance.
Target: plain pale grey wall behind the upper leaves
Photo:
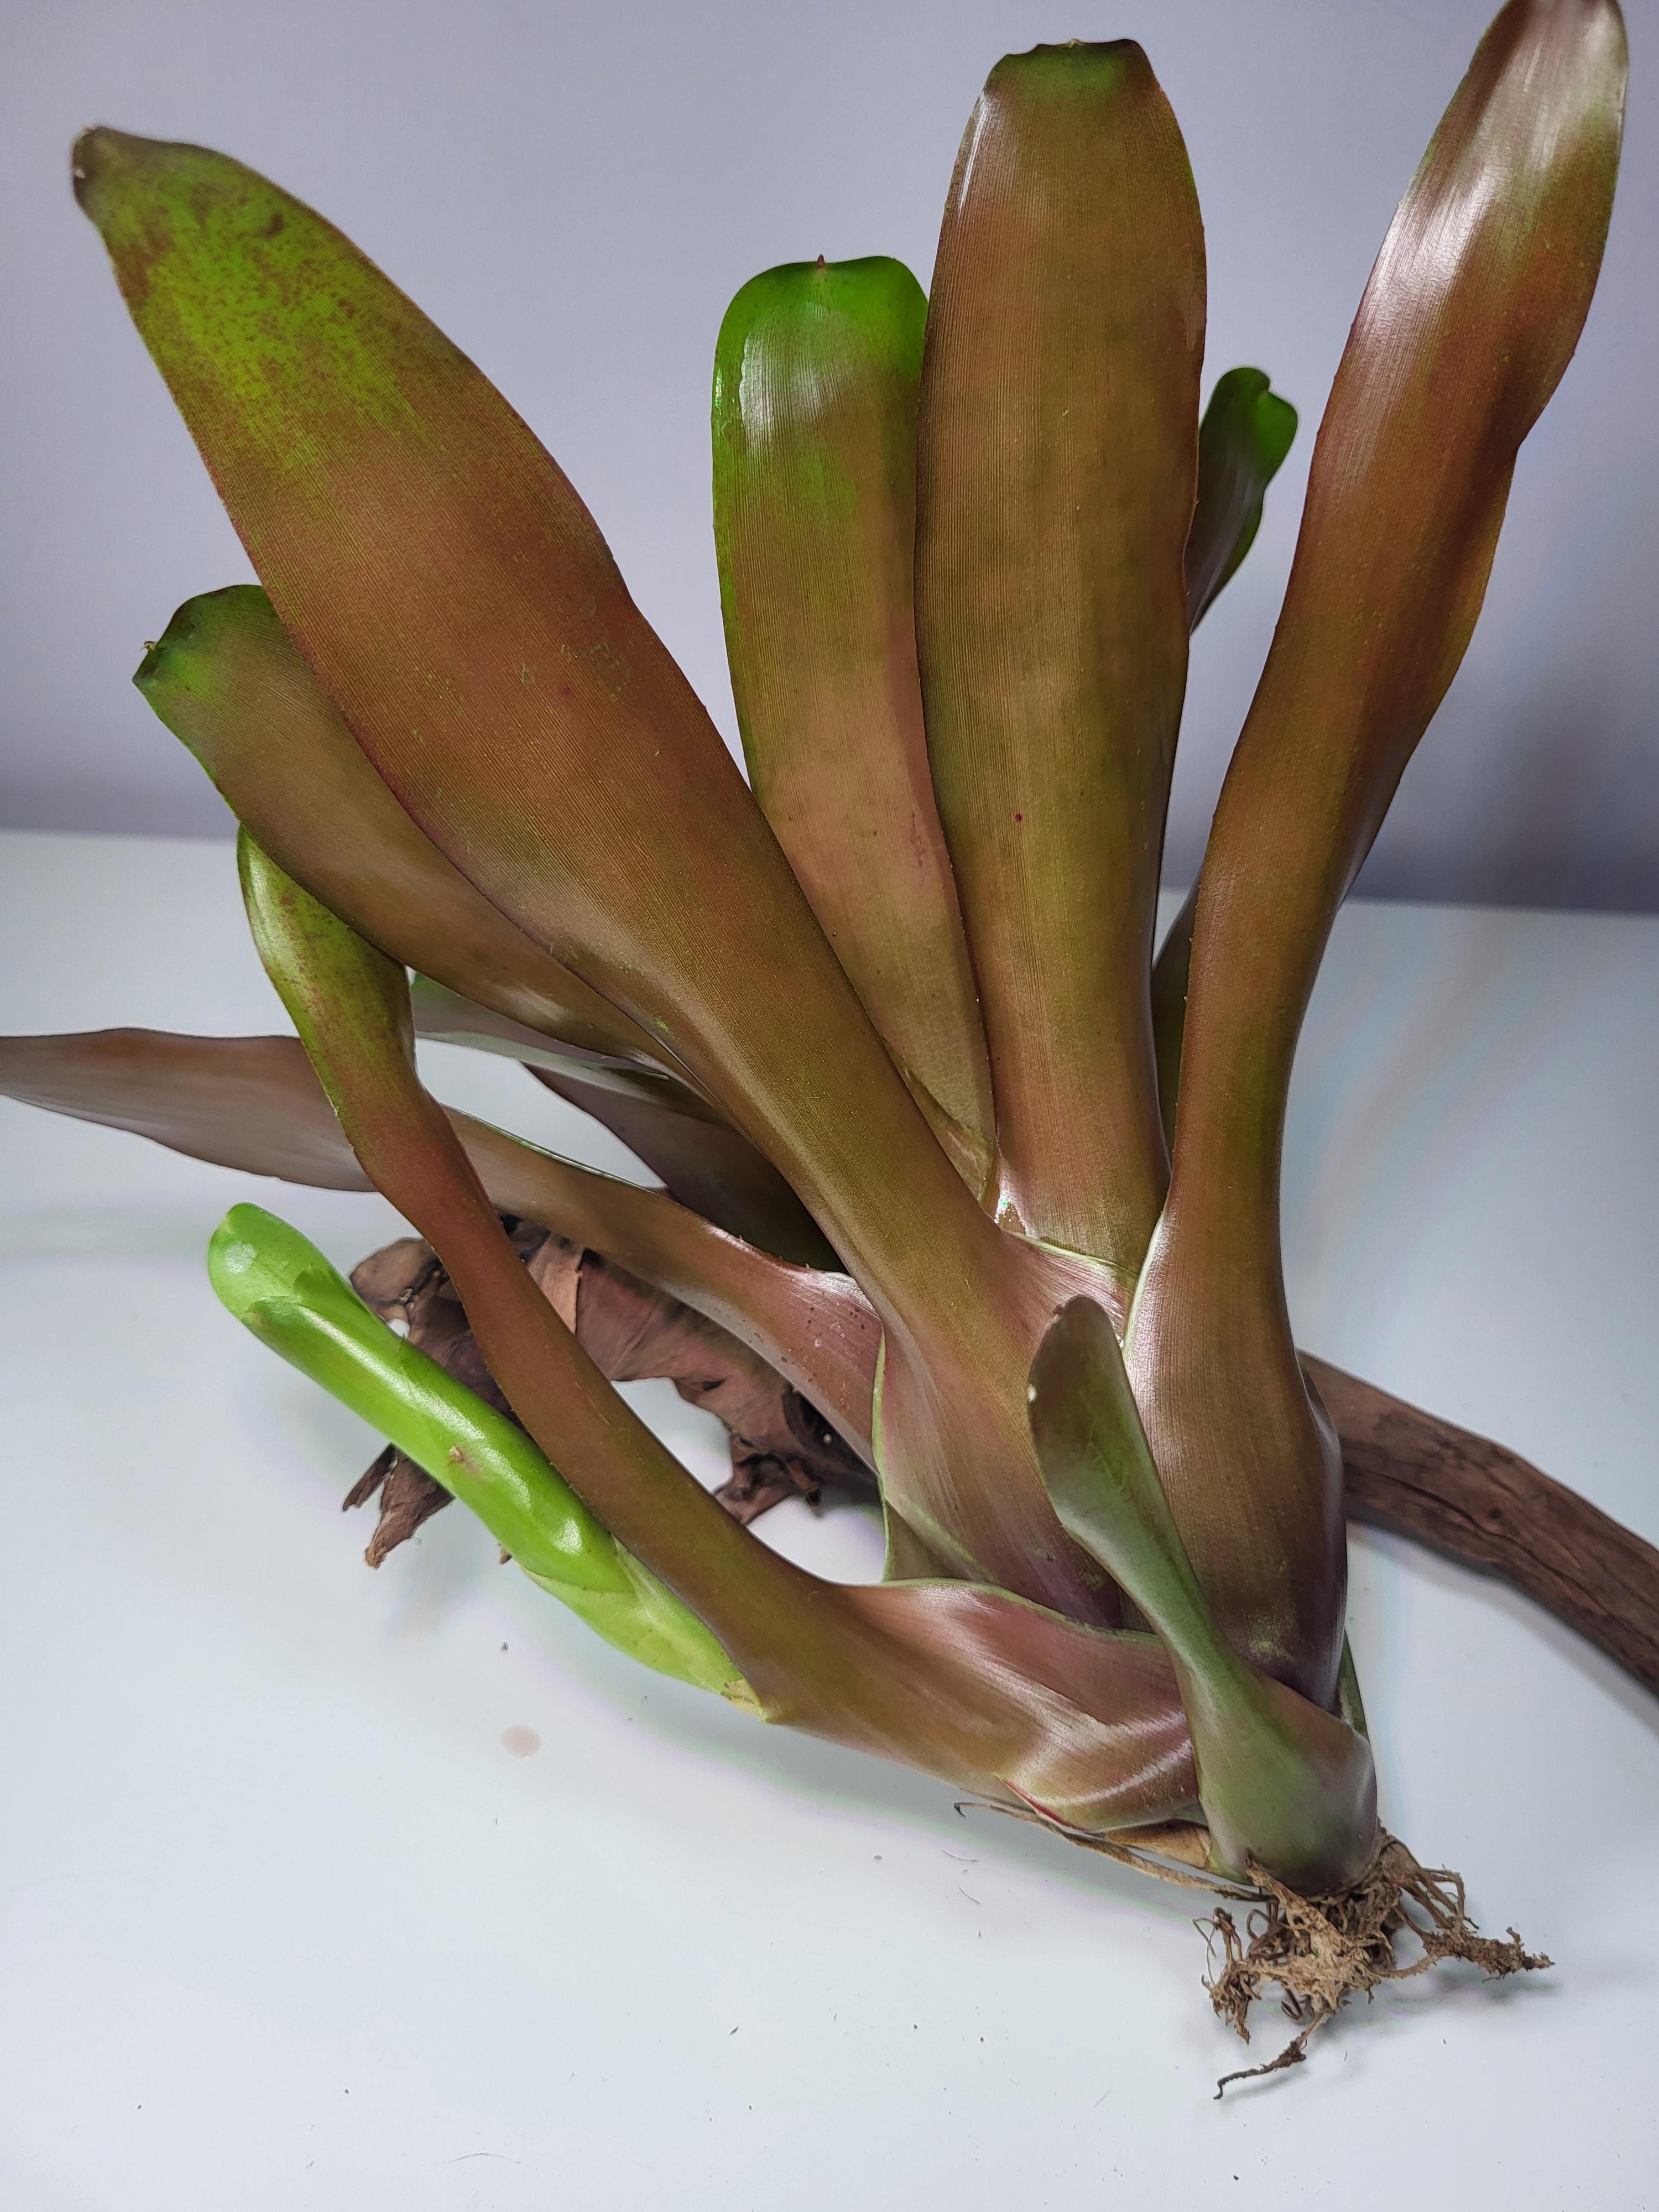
(574, 189)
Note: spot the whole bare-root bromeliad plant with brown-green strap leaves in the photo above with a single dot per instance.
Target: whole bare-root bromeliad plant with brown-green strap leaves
(961, 1191)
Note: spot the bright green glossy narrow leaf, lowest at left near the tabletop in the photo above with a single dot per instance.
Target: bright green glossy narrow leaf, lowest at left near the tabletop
(284, 1291)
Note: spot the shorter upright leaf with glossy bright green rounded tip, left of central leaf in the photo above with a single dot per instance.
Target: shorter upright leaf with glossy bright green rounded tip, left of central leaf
(815, 523)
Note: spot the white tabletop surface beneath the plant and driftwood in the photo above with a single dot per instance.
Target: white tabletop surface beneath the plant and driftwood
(284, 1926)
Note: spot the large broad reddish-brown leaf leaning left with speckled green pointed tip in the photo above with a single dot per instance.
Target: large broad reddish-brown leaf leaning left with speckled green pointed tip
(461, 609)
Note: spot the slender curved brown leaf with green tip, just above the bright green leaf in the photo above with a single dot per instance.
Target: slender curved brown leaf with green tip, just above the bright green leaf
(963, 1682)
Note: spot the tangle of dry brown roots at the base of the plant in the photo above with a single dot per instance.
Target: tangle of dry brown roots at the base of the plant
(1322, 1952)
